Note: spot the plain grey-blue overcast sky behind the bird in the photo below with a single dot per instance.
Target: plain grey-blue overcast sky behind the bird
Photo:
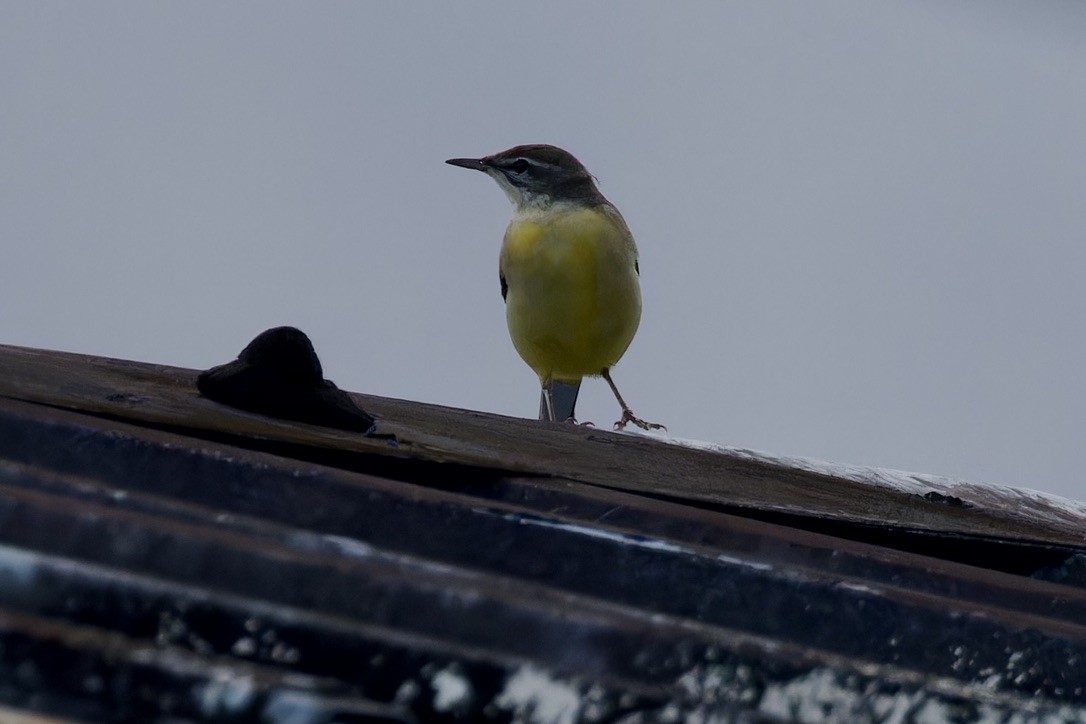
(862, 225)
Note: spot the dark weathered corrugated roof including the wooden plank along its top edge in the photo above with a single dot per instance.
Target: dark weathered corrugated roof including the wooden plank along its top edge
(163, 557)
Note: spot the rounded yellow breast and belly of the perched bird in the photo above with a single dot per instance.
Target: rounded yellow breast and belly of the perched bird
(574, 301)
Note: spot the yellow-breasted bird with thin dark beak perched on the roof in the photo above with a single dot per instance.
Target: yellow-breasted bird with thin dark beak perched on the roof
(569, 273)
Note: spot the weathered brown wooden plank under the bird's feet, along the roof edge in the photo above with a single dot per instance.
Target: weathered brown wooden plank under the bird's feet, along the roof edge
(167, 397)
